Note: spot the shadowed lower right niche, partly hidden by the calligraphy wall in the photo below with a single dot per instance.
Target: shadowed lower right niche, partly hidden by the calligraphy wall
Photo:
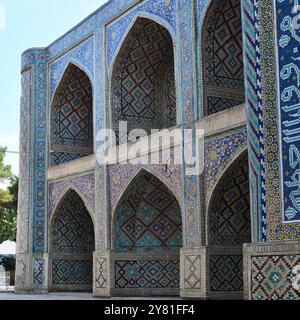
(229, 227)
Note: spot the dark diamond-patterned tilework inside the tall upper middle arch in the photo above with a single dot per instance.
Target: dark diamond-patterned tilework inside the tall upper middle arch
(139, 77)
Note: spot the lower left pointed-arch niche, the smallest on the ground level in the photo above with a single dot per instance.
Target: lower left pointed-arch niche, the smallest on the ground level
(72, 243)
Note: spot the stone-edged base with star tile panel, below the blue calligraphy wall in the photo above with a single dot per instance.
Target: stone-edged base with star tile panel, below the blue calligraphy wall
(272, 271)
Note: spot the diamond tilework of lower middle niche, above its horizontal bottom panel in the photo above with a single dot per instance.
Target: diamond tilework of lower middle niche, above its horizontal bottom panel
(148, 216)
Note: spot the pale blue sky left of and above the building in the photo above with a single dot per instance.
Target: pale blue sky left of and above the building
(29, 23)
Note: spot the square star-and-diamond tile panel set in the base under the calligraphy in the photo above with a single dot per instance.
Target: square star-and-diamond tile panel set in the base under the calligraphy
(275, 277)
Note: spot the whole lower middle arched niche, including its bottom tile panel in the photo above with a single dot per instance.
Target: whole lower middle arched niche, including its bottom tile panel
(147, 237)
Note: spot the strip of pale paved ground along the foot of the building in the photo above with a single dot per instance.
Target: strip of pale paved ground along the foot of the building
(66, 296)
